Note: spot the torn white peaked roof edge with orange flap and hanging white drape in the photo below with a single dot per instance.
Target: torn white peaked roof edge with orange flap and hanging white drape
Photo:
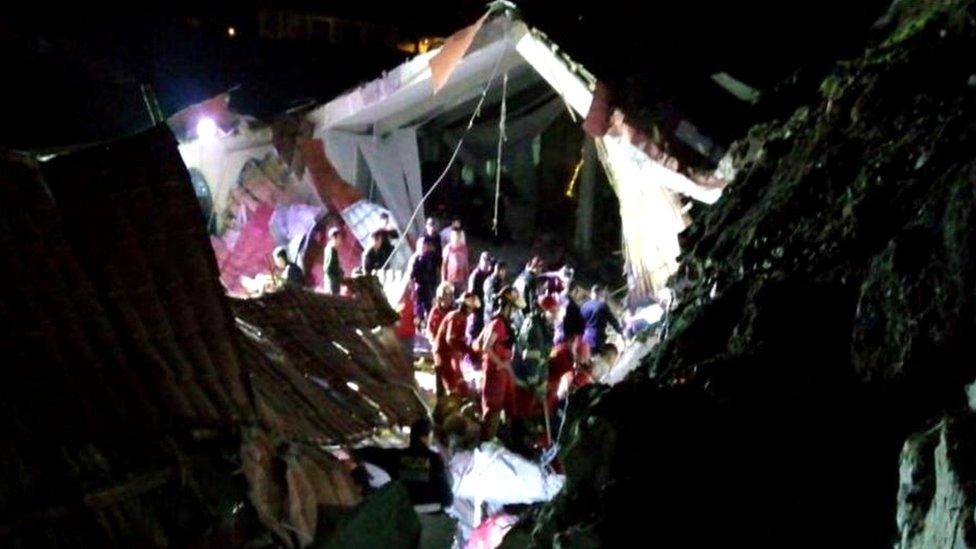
(375, 127)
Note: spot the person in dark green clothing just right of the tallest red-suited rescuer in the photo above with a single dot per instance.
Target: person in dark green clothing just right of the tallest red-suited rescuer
(532, 349)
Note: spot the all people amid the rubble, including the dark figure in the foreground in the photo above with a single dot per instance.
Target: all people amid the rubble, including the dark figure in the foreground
(526, 342)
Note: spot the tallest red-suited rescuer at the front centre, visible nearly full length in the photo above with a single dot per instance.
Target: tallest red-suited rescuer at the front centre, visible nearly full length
(496, 344)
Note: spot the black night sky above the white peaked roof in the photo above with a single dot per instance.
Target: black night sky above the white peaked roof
(76, 75)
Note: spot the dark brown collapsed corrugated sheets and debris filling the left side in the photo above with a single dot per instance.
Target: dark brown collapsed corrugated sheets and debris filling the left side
(141, 406)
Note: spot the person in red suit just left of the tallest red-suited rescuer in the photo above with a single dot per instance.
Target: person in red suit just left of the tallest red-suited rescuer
(451, 345)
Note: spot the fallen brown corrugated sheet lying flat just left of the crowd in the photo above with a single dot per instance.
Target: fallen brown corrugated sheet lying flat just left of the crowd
(309, 348)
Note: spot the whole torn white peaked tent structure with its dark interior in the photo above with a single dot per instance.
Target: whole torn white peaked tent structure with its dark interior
(497, 118)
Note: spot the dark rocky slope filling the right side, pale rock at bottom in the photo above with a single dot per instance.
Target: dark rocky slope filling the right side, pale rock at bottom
(827, 316)
